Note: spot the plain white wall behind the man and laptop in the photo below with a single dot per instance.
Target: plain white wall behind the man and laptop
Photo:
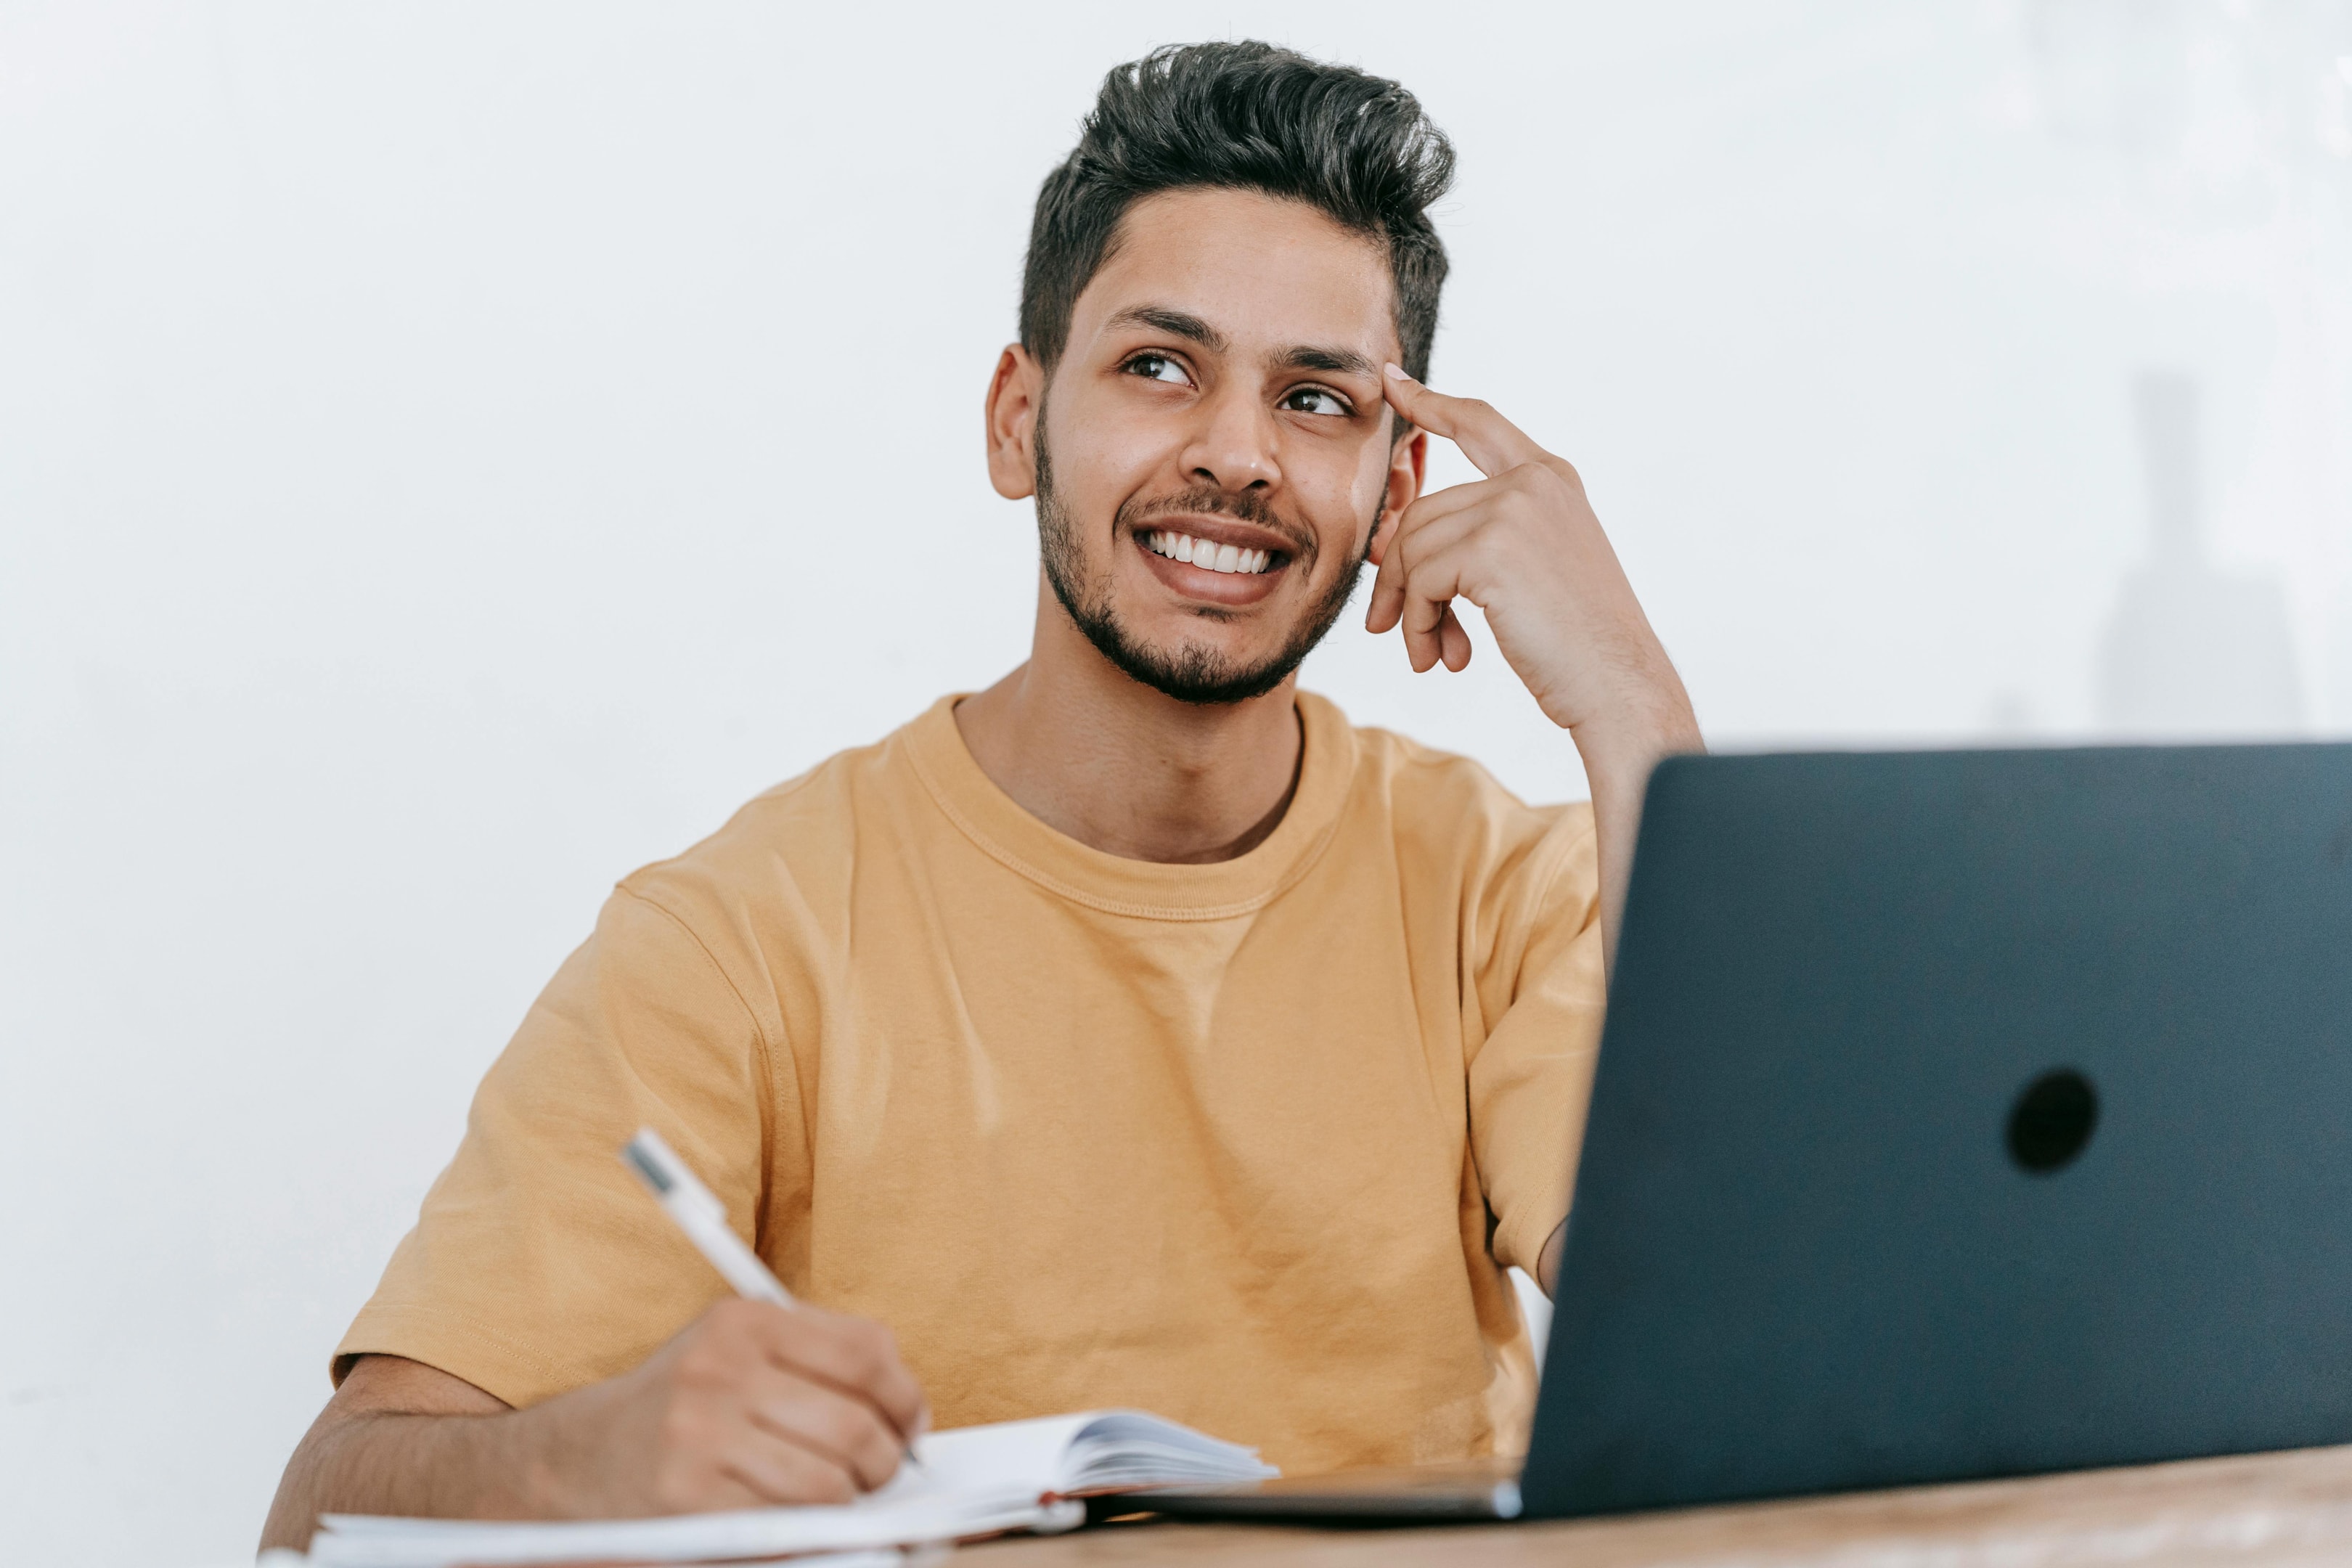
(455, 455)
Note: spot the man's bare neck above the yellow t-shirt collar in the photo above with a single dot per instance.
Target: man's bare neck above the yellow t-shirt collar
(1128, 770)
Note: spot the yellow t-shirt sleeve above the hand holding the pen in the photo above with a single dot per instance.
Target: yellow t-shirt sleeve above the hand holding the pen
(537, 1261)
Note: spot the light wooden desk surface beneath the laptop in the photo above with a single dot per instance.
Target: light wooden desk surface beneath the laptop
(2247, 1513)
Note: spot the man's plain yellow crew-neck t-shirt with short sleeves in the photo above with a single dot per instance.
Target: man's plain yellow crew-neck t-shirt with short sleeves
(1243, 1144)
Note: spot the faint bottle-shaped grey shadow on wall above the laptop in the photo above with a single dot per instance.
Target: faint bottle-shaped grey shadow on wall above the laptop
(2193, 652)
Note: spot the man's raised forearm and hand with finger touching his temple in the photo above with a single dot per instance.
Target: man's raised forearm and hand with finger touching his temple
(1525, 547)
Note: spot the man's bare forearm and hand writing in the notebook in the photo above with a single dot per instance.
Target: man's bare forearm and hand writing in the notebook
(749, 1407)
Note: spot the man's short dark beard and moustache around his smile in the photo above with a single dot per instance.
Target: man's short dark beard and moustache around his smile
(1189, 674)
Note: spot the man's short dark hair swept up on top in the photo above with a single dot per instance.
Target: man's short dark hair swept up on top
(1243, 116)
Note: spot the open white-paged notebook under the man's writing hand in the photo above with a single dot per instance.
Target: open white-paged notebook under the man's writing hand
(1017, 1475)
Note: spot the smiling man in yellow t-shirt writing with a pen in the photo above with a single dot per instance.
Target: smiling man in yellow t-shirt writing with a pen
(1132, 1033)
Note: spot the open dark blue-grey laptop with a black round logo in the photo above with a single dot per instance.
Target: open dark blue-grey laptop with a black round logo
(1958, 1115)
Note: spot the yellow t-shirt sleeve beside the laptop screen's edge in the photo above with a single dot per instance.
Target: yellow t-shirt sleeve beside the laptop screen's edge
(1542, 991)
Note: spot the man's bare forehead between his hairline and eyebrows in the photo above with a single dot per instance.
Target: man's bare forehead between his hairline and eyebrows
(1264, 274)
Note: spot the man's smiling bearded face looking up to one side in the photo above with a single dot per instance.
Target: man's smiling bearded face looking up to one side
(1212, 453)
